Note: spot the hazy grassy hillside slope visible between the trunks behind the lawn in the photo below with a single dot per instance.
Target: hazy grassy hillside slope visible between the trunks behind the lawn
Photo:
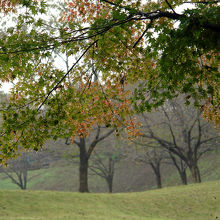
(128, 177)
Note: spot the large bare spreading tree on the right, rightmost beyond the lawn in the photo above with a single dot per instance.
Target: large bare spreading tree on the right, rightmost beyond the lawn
(182, 132)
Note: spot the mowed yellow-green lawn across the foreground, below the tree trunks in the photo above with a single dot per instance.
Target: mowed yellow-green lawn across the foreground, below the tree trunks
(192, 202)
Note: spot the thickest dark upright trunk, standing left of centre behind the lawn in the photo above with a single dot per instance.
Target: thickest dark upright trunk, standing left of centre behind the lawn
(83, 167)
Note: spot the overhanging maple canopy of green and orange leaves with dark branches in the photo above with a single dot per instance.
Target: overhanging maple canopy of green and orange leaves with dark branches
(126, 56)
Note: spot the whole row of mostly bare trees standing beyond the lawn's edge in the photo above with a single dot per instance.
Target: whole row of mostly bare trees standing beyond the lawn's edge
(174, 134)
